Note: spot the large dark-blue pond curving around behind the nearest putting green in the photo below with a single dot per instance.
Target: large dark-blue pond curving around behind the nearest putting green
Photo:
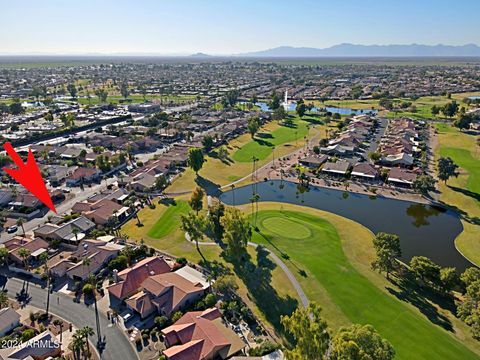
(423, 229)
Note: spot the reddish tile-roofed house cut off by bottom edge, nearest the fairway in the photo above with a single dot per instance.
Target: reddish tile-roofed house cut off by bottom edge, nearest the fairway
(200, 335)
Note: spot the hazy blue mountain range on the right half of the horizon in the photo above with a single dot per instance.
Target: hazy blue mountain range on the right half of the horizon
(352, 50)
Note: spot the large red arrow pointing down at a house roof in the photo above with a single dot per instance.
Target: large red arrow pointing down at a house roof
(29, 176)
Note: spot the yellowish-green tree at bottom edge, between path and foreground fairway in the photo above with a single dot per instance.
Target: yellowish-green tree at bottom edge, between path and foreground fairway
(310, 332)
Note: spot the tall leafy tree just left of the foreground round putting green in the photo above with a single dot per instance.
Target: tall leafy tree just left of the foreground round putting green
(236, 232)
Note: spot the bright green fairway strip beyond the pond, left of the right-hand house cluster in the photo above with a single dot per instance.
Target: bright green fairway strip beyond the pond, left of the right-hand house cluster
(262, 145)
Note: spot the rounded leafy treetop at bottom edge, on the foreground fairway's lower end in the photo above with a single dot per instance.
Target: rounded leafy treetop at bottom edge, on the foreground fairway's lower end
(360, 342)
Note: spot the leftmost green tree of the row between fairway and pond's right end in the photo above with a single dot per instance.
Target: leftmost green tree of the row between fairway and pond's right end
(387, 247)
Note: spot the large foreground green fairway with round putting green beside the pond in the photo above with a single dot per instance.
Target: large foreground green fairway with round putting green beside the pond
(322, 257)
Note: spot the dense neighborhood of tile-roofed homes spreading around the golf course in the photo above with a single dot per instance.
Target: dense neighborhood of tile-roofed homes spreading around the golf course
(104, 162)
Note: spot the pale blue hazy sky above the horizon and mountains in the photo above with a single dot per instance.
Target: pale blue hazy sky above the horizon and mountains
(228, 26)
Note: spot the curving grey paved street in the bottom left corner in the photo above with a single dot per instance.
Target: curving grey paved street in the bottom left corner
(118, 346)
